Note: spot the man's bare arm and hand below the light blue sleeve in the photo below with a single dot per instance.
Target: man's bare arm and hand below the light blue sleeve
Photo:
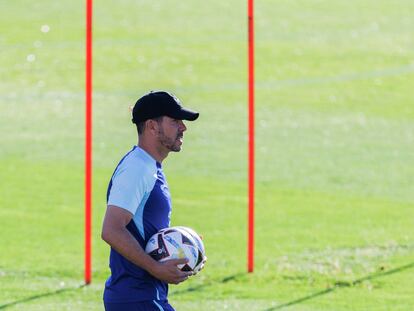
(114, 232)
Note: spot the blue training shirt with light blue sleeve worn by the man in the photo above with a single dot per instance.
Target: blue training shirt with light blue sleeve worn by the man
(138, 185)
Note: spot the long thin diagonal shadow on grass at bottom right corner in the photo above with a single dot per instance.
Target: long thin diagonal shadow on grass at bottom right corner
(342, 284)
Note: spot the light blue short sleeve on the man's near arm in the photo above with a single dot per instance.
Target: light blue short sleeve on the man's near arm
(129, 188)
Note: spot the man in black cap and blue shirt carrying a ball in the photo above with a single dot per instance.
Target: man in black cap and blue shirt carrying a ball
(139, 205)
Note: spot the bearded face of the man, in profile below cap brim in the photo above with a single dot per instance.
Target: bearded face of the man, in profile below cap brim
(170, 133)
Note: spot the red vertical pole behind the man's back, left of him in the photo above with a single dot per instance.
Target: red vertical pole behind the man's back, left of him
(88, 144)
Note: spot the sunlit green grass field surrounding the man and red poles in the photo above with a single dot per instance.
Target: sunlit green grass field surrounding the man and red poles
(335, 148)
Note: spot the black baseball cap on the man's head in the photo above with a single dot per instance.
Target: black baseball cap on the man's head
(160, 103)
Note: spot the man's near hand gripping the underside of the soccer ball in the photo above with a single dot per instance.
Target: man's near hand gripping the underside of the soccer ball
(168, 271)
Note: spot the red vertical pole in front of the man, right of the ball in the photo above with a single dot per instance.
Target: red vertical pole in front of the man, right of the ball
(250, 252)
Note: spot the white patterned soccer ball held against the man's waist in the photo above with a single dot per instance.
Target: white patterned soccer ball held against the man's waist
(174, 243)
